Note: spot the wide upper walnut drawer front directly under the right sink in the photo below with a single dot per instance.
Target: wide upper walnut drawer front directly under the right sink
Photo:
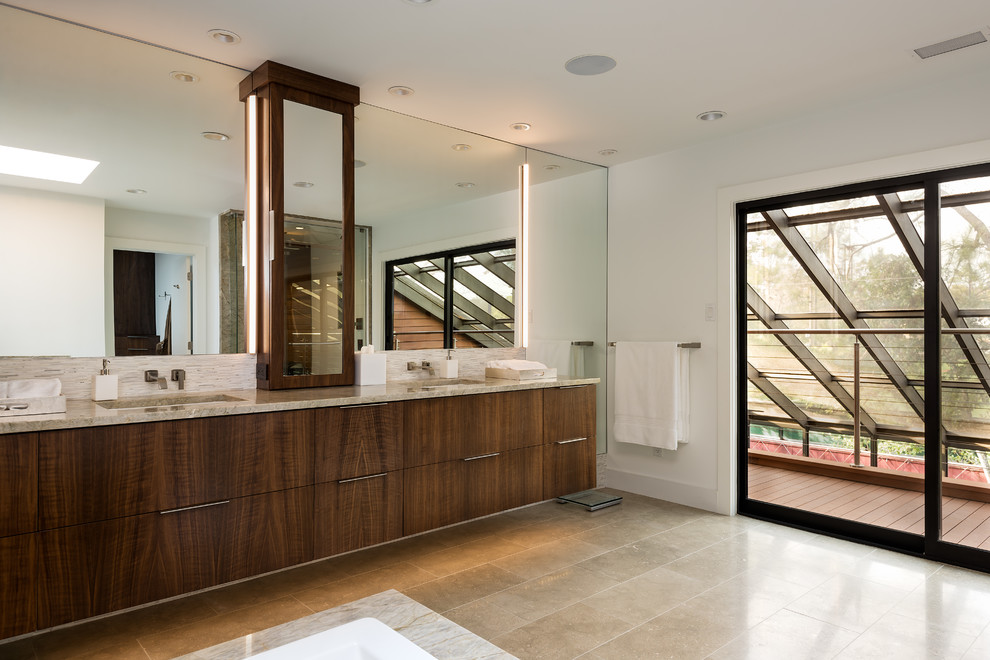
(449, 428)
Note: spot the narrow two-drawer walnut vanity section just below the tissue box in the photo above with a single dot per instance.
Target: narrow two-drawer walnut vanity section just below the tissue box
(358, 477)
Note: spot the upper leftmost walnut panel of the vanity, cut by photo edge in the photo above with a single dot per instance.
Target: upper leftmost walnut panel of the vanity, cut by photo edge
(18, 483)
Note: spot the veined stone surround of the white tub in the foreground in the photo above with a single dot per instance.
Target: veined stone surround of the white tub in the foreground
(440, 637)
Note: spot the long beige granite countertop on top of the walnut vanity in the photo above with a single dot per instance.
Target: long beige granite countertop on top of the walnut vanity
(84, 413)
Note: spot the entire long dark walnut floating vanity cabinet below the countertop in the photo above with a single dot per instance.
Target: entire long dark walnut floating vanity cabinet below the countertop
(100, 519)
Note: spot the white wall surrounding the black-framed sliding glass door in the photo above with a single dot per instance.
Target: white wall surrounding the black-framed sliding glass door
(671, 248)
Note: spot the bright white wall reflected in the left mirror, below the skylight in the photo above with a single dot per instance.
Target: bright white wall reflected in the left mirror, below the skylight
(51, 273)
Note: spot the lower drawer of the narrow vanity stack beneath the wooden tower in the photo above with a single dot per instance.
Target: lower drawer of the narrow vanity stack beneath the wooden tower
(356, 513)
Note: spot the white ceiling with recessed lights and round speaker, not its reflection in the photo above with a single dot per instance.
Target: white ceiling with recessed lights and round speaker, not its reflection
(483, 64)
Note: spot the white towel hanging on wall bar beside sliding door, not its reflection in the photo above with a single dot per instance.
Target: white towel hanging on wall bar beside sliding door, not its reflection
(651, 394)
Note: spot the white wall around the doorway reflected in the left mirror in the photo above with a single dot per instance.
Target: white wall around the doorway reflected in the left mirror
(163, 233)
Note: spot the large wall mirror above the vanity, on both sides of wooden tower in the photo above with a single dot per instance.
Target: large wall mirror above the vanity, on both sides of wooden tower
(420, 187)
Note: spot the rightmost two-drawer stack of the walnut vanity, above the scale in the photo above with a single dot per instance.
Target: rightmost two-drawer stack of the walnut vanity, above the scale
(569, 454)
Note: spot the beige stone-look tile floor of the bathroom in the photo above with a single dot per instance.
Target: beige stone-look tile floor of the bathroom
(646, 579)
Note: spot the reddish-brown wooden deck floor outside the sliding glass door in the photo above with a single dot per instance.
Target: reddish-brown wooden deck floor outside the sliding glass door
(966, 522)
